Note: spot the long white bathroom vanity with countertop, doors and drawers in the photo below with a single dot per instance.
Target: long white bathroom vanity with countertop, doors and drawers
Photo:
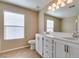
(57, 46)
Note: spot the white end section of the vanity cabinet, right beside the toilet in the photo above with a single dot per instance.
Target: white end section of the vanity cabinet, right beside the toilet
(39, 44)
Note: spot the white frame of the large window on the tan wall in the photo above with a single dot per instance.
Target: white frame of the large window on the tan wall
(13, 26)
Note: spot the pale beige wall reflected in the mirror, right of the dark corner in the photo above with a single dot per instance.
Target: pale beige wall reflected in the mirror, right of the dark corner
(68, 24)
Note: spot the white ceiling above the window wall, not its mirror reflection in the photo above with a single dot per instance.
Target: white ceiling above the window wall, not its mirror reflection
(32, 4)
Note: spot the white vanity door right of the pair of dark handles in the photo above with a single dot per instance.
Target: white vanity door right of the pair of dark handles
(74, 52)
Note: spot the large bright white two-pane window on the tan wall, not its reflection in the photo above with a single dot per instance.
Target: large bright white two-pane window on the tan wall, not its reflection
(13, 25)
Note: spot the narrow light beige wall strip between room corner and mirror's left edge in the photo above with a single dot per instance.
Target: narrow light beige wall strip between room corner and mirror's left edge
(41, 19)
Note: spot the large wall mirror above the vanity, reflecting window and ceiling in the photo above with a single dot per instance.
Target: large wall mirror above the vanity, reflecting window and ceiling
(63, 19)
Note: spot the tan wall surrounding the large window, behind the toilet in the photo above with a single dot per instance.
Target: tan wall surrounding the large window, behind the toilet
(31, 26)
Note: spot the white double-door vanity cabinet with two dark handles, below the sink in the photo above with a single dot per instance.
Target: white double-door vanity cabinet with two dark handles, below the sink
(64, 50)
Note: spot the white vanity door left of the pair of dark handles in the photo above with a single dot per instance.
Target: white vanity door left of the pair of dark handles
(60, 50)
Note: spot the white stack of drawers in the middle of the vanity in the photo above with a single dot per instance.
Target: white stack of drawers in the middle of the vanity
(48, 48)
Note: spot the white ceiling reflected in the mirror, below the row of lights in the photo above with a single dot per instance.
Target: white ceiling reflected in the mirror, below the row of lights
(66, 11)
